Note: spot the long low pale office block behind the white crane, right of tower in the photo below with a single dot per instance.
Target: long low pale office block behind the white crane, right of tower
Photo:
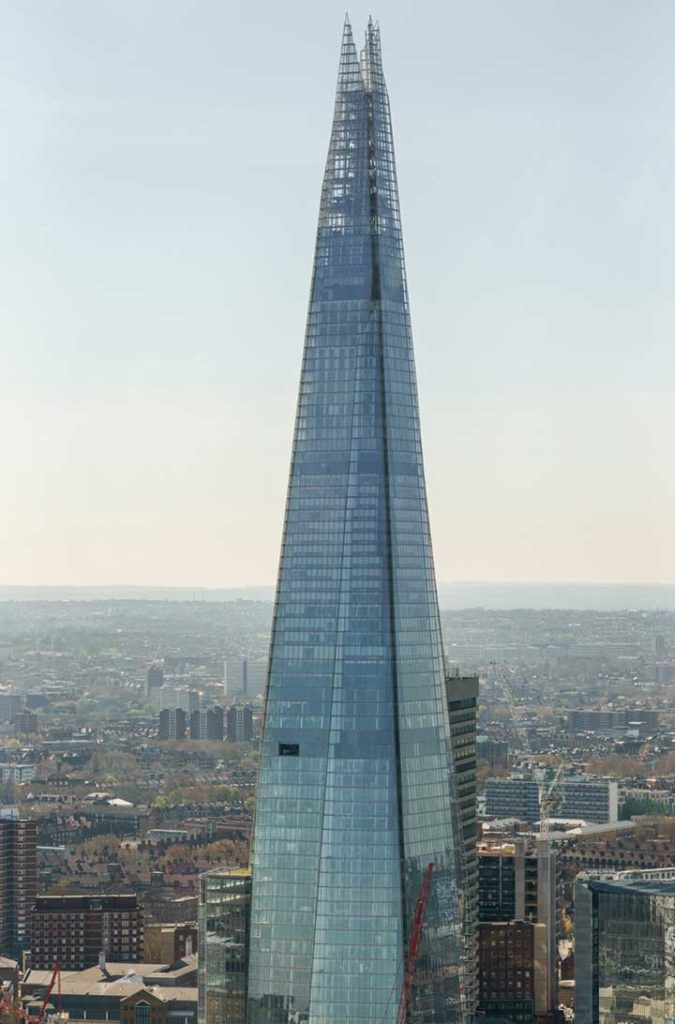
(588, 798)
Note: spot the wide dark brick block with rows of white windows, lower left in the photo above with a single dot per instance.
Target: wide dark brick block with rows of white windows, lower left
(74, 931)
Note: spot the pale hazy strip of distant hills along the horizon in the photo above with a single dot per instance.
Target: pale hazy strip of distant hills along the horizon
(453, 596)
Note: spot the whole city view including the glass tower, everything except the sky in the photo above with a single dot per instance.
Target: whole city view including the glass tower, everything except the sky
(363, 797)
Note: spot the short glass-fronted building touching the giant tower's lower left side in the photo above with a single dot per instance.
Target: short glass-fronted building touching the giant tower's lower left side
(225, 911)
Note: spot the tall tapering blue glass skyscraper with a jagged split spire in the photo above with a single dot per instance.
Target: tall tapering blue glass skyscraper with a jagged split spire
(356, 788)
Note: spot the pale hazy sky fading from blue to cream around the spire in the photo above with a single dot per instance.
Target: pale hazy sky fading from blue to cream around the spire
(160, 188)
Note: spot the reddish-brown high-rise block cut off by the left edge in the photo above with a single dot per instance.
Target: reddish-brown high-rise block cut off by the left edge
(19, 881)
